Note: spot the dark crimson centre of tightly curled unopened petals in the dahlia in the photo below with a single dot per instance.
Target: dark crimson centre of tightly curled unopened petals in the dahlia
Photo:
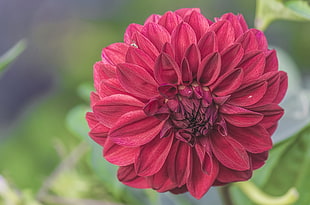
(191, 112)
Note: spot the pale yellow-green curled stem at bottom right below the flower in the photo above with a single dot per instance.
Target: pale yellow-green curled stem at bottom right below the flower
(261, 198)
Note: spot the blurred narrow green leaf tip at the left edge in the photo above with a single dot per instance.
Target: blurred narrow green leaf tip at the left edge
(11, 54)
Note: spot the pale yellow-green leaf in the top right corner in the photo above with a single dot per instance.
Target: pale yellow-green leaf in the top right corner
(268, 11)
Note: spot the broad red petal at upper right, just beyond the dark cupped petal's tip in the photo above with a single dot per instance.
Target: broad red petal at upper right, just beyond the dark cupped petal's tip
(253, 65)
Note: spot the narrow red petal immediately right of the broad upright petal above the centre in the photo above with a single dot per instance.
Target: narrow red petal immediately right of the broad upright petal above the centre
(208, 44)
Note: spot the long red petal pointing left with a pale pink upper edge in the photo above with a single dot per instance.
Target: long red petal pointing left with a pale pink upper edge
(111, 108)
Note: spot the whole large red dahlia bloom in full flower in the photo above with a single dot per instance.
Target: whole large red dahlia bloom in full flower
(186, 103)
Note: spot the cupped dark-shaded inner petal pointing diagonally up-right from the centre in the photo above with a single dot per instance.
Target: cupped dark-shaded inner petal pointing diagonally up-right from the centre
(228, 83)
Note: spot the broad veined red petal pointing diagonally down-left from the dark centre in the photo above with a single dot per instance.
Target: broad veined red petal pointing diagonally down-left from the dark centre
(153, 155)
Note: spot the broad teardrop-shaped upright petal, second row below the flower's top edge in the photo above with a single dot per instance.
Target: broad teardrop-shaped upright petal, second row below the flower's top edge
(181, 38)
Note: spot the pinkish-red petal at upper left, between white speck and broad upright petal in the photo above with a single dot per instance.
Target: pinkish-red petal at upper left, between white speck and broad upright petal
(157, 34)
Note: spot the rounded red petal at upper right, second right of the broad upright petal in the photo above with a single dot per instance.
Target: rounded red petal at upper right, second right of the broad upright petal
(224, 32)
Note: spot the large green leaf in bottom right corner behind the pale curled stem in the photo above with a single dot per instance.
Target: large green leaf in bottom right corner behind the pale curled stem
(288, 166)
